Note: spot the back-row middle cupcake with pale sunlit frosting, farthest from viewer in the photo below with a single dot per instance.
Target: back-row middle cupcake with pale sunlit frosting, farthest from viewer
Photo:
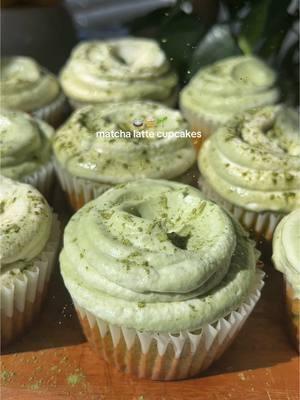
(105, 71)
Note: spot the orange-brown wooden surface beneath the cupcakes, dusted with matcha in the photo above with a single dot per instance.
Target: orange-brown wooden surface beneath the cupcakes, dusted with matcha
(53, 361)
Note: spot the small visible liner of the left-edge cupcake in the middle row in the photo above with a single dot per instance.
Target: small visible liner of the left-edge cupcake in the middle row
(42, 178)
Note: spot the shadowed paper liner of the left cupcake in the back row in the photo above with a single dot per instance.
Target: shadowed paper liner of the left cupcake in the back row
(54, 113)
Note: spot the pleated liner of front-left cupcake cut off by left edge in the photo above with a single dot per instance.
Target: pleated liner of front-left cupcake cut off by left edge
(22, 293)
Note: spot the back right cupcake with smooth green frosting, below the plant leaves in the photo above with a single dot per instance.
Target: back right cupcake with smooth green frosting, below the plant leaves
(225, 88)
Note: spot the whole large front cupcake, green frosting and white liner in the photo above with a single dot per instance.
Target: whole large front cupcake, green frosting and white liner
(158, 292)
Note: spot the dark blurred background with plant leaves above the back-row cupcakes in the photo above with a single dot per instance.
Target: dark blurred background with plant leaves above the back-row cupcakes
(193, 33)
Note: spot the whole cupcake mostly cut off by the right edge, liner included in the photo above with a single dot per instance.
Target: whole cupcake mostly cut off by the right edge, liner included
(286, 259)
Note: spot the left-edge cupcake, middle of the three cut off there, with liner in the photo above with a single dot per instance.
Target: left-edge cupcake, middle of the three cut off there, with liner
(25, 152)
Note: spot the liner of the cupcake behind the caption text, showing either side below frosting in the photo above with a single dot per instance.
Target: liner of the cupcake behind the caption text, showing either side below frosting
(80, 191)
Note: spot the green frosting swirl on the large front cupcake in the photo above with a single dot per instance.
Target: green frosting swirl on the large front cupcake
(143, 256)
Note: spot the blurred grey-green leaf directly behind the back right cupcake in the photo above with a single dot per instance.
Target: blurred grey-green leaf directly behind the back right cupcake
(218, 43)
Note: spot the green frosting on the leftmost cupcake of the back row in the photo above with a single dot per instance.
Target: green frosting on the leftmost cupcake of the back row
(25, 85)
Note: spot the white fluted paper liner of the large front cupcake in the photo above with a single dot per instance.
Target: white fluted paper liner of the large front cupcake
(165, 356)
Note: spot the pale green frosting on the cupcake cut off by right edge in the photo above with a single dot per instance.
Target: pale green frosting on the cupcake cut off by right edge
(286, 249)
